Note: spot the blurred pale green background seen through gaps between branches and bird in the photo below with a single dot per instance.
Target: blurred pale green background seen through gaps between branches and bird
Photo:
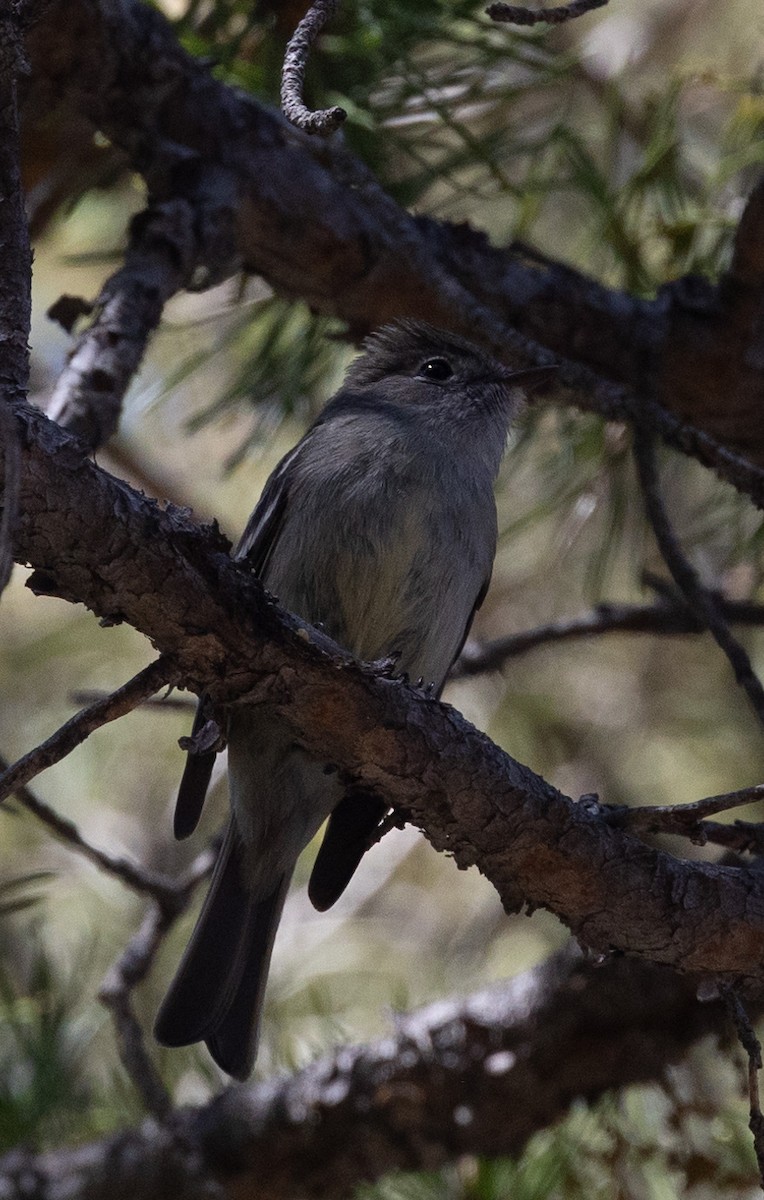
(624, 145)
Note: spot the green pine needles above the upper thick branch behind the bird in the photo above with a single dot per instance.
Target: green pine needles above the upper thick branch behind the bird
(452, 110)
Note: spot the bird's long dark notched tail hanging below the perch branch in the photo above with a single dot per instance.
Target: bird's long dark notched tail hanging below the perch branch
(218, 993)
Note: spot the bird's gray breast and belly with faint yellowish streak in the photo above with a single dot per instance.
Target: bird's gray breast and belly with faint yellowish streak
(386, 548)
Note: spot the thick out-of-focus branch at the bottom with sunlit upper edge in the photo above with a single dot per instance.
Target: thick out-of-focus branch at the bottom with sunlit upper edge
(476, 1076)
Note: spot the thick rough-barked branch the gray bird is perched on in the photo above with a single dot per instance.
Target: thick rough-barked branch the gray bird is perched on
(127, 559)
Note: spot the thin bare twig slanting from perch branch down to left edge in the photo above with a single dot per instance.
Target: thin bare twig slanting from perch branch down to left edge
(83, 724)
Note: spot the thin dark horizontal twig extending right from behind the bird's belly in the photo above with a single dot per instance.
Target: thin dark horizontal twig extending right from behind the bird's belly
(666, 617)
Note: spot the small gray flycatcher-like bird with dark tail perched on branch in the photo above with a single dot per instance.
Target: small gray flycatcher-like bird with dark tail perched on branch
(381, 527)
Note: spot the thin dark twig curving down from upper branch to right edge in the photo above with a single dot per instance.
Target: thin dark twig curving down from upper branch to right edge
(700, 599)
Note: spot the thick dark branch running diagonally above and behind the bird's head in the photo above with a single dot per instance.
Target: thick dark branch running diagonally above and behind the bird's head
(316, 225)
